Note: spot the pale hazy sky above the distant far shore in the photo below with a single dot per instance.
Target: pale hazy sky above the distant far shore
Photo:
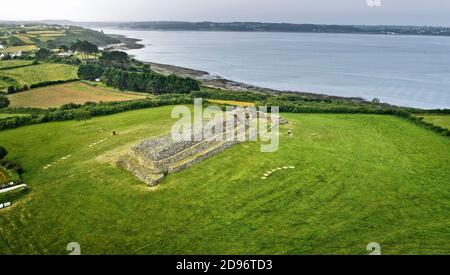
(389, 12)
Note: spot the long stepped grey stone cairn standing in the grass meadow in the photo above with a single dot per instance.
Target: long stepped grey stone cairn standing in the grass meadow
(151, 160)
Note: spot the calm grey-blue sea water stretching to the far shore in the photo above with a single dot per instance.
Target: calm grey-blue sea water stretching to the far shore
(403, 70)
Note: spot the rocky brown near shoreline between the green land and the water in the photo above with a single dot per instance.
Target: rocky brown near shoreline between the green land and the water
(217, 82)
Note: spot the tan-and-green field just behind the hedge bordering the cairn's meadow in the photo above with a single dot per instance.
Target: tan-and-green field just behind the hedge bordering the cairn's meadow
(73, 92)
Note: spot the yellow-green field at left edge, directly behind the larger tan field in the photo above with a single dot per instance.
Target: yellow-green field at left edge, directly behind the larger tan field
(41, 73)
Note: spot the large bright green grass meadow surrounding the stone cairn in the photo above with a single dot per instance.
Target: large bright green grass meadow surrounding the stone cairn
(358, 179)
